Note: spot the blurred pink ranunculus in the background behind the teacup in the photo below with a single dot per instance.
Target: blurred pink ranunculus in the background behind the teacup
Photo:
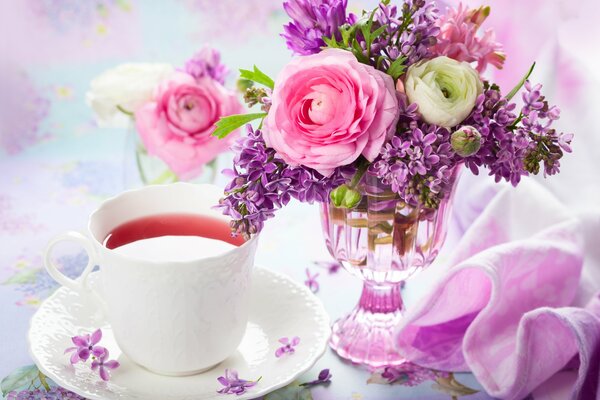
(178, 125)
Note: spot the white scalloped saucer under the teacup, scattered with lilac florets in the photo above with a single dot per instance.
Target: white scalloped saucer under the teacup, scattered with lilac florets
(280, 308)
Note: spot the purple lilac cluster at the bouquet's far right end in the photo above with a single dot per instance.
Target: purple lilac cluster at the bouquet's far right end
(513, 146)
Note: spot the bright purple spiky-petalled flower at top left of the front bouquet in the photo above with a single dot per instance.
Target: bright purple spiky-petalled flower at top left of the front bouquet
(311, 21)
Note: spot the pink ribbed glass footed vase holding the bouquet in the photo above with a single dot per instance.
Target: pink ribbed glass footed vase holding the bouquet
(382, 241)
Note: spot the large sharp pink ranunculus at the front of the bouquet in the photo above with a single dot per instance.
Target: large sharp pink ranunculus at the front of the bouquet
(328, 109)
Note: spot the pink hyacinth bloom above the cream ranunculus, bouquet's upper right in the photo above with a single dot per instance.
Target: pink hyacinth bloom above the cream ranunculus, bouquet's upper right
(458, 38)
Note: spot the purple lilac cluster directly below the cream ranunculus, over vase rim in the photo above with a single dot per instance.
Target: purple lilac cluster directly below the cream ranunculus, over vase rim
(419, 163)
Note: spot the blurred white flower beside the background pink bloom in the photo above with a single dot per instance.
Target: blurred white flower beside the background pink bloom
(128, 86)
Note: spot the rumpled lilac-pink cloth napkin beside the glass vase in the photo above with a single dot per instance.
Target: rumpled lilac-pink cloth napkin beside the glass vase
(500, 304)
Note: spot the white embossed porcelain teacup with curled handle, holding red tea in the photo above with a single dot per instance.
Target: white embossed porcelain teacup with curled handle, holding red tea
(171, 317)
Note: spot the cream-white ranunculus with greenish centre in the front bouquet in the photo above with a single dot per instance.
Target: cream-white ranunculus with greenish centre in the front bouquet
(444, 89)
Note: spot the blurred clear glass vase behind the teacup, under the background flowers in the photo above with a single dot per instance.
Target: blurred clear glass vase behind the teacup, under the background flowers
(143, 169)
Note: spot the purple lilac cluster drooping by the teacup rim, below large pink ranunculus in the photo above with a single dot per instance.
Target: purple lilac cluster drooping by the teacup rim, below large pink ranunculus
(263, 183)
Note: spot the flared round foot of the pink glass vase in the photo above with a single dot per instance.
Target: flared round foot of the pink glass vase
(367, 338)
